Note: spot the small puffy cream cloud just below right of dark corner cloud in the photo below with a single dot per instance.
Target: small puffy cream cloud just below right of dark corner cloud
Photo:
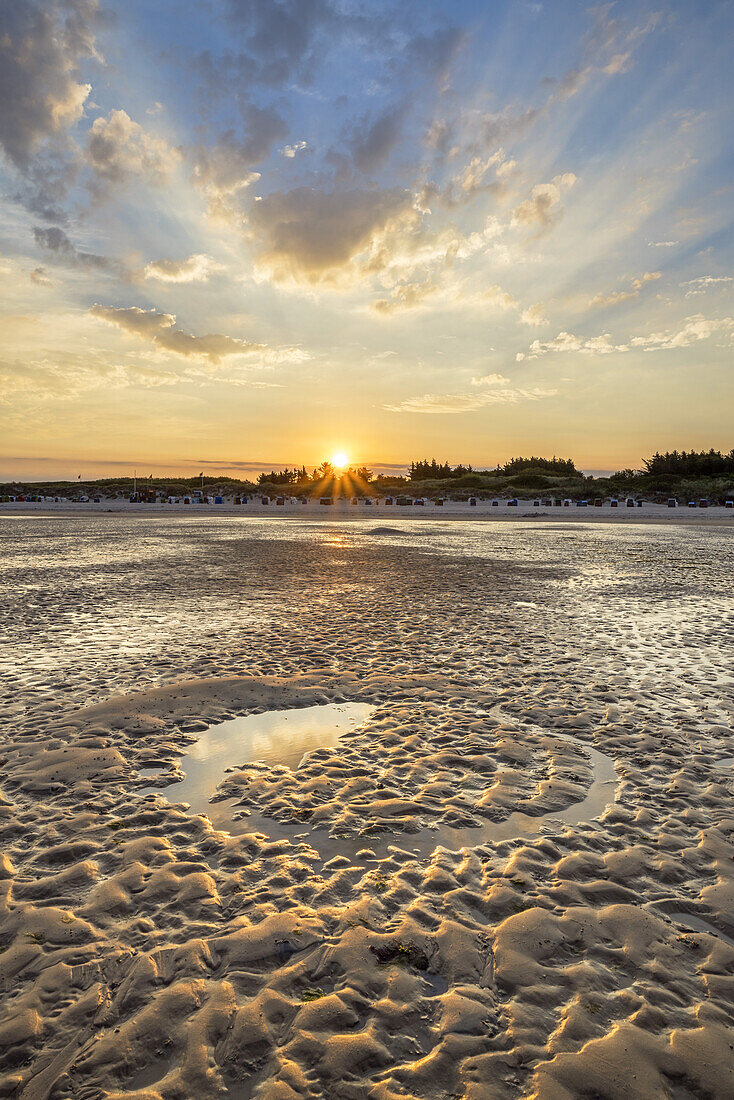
(119, 150)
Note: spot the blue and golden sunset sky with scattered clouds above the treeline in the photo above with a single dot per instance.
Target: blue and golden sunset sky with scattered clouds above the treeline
(238, 234)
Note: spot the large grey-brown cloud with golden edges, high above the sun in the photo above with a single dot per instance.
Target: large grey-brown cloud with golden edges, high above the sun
(310, 236)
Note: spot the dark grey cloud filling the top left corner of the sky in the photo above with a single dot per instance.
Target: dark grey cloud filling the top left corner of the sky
(42, 46)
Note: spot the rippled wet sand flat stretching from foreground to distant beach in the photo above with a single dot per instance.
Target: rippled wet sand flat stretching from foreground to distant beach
(511, 875)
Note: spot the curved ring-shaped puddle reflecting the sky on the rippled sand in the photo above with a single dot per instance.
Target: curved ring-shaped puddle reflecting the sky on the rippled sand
(287, 736)
